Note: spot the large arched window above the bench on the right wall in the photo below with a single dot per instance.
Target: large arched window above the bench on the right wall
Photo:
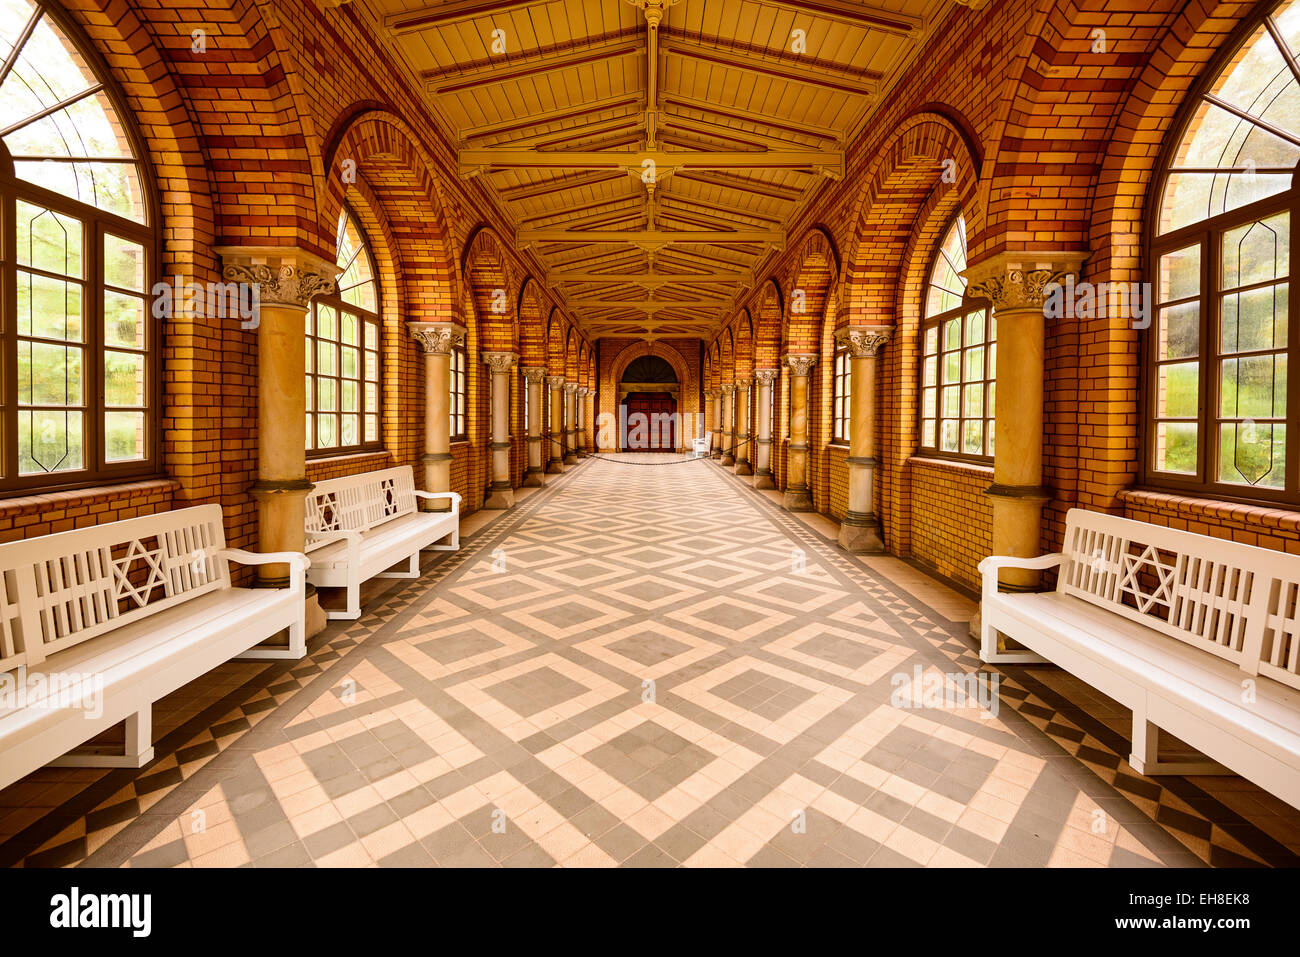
(1216, 387)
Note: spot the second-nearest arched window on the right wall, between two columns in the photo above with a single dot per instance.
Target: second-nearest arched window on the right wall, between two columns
(959, 358)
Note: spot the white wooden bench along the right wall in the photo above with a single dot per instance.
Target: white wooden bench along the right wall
(1198, 636)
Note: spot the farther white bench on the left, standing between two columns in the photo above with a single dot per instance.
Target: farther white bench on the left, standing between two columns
(362, 526)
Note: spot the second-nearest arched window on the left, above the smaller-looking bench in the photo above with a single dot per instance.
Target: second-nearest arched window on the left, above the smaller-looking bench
(344, 353)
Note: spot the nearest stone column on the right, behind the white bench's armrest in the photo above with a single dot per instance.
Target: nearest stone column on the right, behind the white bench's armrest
(1015, 284)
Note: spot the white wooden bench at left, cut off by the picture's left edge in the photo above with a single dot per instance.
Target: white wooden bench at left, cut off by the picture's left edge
(99, 623)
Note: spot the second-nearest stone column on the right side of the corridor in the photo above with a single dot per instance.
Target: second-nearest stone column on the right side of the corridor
(860, 530)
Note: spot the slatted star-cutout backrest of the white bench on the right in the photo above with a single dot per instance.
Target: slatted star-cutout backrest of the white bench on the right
(1237, 601)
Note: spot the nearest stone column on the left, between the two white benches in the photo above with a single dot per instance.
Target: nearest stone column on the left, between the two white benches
(288, 280)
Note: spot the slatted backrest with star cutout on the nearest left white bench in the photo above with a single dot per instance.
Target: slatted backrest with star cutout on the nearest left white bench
(66, 588)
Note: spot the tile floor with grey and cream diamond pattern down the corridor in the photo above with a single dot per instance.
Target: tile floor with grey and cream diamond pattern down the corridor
(642, 666)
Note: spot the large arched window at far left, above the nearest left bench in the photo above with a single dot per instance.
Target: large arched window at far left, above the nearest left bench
(79, 374)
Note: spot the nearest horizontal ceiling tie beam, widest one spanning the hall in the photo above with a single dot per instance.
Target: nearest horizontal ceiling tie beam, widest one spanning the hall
(666, 162)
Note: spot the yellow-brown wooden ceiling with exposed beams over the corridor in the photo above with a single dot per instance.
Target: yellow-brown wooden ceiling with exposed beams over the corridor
(652, 153)
